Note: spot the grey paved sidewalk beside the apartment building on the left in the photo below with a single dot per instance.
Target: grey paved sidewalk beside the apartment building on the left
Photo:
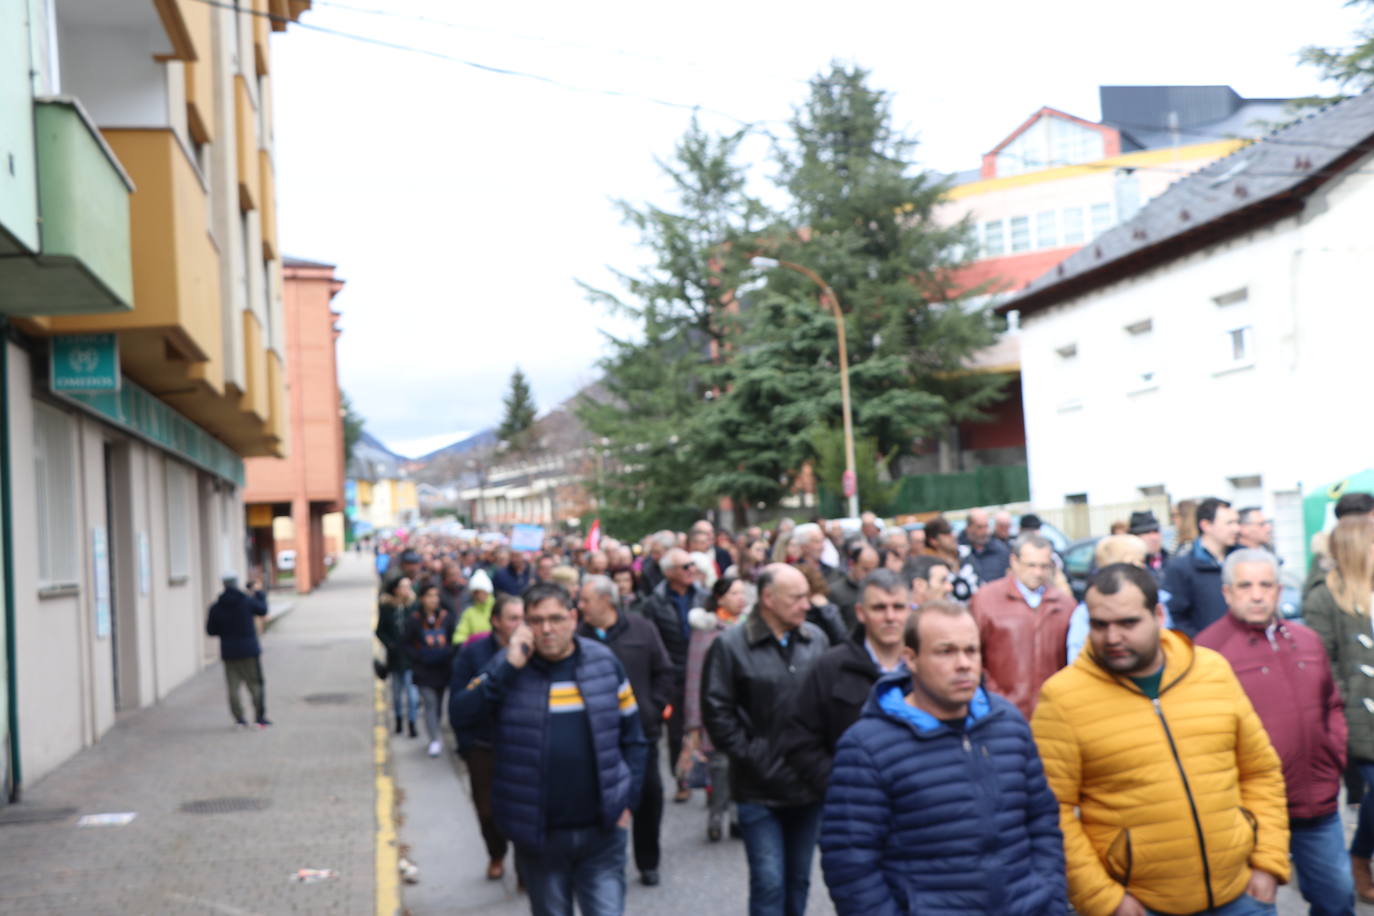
(310, 779)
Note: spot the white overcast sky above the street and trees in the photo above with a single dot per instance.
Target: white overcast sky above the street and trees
(461, 205)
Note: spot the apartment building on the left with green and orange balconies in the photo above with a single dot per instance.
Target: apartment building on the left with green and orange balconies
(144, 345)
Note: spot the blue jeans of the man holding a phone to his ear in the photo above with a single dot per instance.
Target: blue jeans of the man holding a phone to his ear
(586, 865)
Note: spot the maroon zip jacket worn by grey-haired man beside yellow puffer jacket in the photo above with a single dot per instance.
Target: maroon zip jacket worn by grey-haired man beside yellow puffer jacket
(1291, 685)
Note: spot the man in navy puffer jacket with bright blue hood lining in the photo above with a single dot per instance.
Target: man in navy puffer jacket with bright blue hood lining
(938, 803)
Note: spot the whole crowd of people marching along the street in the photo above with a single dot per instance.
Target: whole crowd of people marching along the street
(935, 712)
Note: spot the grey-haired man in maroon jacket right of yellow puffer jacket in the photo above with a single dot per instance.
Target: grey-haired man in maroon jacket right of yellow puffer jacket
(1285, 672)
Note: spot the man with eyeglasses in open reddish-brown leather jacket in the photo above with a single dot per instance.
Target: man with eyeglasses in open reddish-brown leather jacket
(1023, 624)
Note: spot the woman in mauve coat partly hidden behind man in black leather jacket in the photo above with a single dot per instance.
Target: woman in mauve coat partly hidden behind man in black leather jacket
(725, 609)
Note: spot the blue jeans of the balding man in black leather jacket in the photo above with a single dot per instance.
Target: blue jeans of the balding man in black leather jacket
(780, 844)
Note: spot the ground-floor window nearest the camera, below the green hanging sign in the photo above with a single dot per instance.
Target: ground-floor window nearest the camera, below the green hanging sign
(56, 488)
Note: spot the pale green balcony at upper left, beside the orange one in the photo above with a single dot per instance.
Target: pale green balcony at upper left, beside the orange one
(85, 262)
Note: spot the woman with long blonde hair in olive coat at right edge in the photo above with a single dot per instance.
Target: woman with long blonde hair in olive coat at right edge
(1339, 610)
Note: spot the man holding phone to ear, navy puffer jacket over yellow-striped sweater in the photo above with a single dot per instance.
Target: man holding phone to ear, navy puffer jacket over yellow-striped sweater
(570, 757)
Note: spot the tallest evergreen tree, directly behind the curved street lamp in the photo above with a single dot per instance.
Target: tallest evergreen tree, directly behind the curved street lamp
(864, 220)
